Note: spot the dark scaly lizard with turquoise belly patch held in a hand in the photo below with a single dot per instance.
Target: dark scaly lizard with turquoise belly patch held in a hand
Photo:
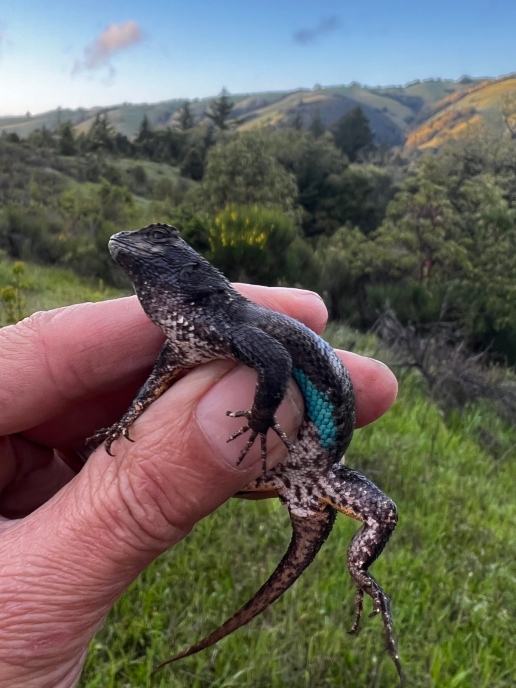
(204, 318)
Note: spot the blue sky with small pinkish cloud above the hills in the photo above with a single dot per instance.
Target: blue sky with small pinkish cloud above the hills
(67, 54)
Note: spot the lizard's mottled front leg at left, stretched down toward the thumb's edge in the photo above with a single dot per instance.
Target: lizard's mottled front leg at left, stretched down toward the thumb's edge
(165, 372)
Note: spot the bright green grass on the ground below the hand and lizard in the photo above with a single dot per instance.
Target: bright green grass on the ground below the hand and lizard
(449, 570)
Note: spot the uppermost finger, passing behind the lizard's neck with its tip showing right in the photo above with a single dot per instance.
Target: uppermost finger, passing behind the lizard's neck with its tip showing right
(53, 360)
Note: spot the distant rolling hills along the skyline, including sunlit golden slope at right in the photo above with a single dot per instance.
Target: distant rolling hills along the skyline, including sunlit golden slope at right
(421, 115)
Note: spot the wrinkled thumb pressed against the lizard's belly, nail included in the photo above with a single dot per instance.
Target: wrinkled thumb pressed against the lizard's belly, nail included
(67, 563)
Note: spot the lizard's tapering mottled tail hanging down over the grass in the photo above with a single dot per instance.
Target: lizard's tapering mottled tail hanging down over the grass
(308, 535)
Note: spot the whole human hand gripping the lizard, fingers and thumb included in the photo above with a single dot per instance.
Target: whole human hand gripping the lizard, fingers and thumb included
(71, 544)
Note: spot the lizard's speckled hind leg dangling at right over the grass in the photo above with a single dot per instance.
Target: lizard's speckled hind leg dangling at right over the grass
(354, 495)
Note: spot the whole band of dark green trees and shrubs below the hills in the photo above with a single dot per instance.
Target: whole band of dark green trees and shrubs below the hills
(431, 238)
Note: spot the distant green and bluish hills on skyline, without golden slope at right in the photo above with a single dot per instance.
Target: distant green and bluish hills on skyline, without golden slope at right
(391, 110)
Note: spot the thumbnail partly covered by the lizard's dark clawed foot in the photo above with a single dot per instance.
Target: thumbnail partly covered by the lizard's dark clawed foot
(235, 392)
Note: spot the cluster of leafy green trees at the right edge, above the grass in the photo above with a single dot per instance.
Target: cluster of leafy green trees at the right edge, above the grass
(445, 248)
